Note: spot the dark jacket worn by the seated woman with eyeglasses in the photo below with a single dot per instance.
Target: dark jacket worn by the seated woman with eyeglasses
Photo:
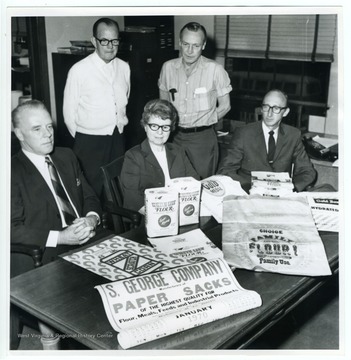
(141, 171)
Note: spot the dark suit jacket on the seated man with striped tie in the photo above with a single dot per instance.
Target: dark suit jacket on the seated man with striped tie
(33, 208)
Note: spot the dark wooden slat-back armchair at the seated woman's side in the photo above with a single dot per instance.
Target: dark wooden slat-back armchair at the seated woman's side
(121, 218)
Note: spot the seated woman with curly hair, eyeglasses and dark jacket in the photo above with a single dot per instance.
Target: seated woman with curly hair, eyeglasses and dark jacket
(154, 162)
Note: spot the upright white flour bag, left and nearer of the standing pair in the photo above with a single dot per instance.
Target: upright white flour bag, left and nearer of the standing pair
(161, 212)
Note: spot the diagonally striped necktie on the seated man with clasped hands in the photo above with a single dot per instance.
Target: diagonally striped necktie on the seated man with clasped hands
(65, 204)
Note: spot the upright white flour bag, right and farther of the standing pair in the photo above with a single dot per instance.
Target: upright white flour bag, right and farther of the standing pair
(189, 191)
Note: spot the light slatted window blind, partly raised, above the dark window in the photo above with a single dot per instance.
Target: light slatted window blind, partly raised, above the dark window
(286, 37)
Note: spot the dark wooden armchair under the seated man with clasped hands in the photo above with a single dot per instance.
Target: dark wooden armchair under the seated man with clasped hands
(17, 317)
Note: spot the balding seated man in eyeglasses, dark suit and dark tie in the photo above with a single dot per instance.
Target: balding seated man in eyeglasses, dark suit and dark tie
(269, 145)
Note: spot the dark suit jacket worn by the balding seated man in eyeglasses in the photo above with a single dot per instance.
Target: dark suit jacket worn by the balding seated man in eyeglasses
(247, 152)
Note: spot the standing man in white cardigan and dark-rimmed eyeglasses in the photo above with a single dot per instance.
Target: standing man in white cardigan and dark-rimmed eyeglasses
(95, 100)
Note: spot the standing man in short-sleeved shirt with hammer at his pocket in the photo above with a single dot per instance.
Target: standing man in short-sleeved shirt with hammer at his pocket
(199, 89)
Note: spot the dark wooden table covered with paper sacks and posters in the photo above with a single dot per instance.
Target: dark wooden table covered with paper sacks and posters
(62, 295)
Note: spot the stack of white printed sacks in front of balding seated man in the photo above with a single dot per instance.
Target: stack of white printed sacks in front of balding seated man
(267, 183)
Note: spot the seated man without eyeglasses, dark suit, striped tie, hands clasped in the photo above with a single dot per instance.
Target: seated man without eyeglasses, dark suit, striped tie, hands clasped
(52, 205)
